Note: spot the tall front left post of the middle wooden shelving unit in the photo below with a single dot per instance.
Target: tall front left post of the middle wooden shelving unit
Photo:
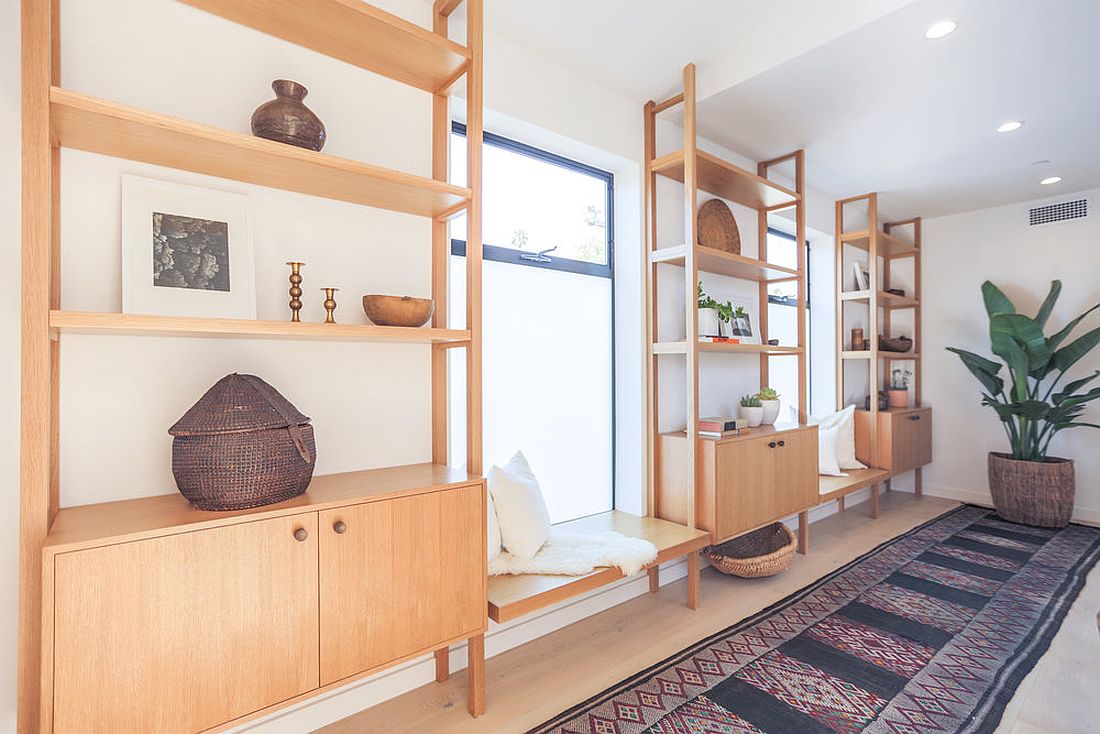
(691, 279)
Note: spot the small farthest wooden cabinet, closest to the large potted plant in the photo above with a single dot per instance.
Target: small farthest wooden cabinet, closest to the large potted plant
(905, 440)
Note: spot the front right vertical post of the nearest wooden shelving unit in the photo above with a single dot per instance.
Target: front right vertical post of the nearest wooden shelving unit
(476, 645)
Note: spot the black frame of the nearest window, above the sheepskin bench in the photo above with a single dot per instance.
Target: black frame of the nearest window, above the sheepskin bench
(513, 257)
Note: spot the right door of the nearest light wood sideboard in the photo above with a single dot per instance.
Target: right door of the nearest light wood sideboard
(400, 577)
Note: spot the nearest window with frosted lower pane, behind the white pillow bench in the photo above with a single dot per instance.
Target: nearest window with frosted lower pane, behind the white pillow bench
(548, 295)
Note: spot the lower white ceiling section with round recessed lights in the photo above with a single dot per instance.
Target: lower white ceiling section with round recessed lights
(885, 109)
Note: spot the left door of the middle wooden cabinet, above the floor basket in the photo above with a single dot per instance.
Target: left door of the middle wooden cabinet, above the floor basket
(744, 478)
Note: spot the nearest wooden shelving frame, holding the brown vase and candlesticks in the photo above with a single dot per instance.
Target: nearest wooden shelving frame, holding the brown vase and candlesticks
(54, 117)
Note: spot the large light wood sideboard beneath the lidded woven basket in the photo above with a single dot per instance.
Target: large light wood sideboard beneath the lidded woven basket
(159, 625)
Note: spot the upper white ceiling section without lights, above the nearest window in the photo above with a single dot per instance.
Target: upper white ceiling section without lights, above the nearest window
(639, 48)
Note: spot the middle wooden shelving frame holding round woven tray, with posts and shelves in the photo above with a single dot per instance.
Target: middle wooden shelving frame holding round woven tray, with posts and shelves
(699, 171)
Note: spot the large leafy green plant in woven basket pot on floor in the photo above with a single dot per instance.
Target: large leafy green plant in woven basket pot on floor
(1029, 486)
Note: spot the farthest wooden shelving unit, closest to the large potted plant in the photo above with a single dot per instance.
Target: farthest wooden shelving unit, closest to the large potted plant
(884, 249)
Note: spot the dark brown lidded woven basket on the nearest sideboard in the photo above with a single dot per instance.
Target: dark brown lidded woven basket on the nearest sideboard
(243, 445)
